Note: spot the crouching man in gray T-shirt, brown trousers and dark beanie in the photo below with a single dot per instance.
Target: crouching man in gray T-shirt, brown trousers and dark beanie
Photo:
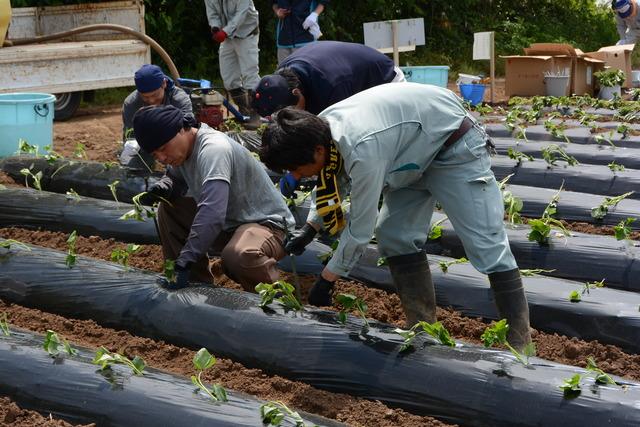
(221, 200)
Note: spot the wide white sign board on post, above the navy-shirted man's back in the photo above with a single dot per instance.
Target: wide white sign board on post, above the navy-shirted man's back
(379, 35)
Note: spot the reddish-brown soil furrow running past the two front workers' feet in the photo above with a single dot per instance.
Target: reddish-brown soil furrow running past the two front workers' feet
(383, 306)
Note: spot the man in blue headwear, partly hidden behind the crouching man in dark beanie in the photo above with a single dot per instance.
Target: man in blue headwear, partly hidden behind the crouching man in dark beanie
(153, 87)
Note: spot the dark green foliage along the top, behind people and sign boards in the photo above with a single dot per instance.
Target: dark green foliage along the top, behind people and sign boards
(181, 27)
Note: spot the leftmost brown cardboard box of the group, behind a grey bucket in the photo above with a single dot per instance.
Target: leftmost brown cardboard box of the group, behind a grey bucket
(524, 75)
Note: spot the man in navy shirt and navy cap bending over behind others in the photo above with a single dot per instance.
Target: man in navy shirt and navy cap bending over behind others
(319, 75)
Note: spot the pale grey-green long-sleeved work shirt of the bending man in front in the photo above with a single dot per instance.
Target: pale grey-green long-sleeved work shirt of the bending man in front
(387, 135)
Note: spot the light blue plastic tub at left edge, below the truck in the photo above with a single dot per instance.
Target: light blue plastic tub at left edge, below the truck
(27, 116)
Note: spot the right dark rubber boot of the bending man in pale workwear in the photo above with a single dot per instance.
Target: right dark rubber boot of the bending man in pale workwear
(512, 305)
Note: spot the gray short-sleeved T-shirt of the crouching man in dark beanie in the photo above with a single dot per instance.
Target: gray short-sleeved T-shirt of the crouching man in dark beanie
(253, 198)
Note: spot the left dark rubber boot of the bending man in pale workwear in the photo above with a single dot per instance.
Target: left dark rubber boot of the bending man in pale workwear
(412, 278)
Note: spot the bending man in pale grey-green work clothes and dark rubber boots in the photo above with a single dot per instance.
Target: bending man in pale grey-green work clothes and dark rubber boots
(414, 144)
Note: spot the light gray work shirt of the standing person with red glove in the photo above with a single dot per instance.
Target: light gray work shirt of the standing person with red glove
(237, 18)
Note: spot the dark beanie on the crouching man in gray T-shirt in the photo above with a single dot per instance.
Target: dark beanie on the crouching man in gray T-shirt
(154, 126)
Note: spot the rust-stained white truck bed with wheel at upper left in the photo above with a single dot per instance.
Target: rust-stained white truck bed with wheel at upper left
(77, 64)
